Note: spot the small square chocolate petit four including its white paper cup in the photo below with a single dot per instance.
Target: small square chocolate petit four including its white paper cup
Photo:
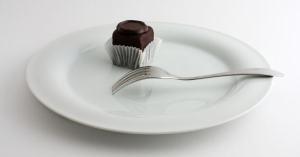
(132, 44)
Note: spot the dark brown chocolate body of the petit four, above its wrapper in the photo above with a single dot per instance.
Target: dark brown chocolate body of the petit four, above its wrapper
(133, 33)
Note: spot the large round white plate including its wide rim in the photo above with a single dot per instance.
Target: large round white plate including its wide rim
(73, 76)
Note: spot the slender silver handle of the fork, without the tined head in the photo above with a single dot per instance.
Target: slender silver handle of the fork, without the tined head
(263, 72)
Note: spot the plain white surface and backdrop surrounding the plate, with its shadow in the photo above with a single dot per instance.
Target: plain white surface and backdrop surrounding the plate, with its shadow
(270, 26)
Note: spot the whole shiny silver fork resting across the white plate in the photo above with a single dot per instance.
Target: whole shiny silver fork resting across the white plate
(152, 72)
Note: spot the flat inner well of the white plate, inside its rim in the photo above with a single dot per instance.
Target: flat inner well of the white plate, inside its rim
(92, 75)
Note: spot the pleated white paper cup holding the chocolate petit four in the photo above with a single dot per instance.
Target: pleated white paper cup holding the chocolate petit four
(132, 57)
